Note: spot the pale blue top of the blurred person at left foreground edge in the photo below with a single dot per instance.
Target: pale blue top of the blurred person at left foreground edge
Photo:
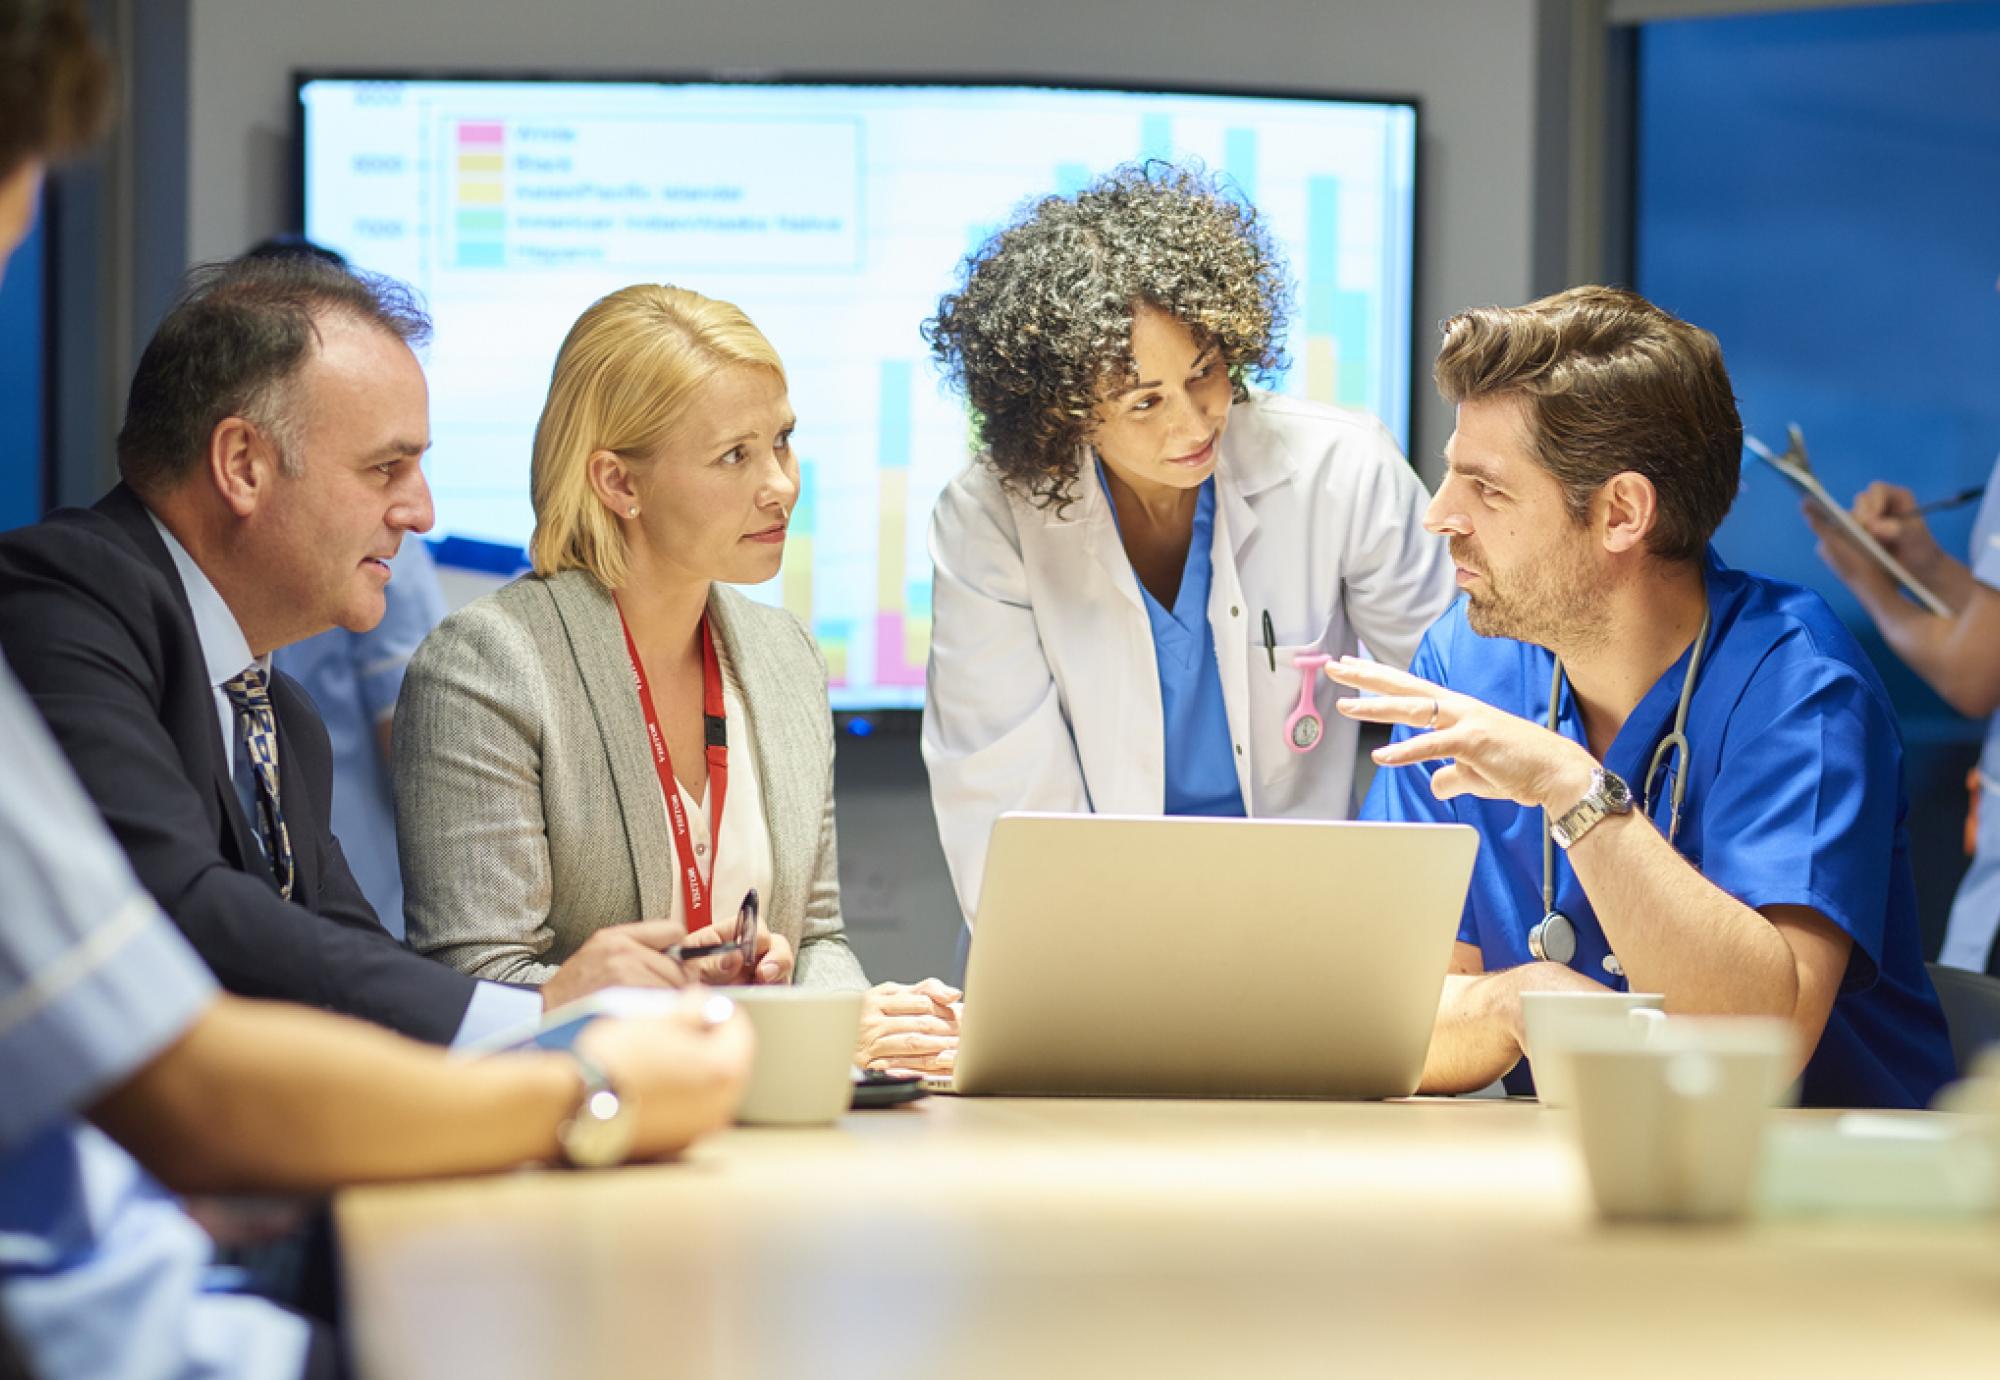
(101, 1271)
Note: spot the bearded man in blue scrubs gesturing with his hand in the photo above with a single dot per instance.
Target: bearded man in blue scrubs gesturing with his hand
(1597, 453)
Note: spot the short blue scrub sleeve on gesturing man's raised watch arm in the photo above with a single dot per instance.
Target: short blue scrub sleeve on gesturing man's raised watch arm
(1809, 803)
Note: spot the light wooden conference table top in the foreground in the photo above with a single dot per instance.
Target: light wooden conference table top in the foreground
(997, 1237)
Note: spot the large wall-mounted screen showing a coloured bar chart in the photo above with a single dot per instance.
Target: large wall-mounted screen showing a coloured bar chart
(835, 215)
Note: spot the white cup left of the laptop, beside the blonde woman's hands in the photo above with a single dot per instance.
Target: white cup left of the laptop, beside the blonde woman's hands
(803, 1073)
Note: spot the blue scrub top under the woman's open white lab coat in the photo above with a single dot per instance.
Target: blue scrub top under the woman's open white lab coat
(1201, 763)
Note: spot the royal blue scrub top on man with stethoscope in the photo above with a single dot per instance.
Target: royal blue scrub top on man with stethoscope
(1795, 799)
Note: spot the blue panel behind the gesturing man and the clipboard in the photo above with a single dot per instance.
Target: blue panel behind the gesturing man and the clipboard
(1823, 191)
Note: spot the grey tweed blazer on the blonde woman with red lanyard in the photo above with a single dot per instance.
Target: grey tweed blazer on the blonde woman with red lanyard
(527, 803)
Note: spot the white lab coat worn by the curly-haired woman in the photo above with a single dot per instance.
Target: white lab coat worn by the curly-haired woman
(1043, 689)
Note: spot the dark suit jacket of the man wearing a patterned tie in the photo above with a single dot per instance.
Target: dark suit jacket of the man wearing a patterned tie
(99, 631)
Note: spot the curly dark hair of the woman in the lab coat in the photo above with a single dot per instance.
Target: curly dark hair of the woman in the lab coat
(1043, 317)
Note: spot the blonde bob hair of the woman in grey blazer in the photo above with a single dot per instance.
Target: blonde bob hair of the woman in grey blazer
(627, 375)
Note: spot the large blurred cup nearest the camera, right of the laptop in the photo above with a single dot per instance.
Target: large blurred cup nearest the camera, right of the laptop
(1675, 1129)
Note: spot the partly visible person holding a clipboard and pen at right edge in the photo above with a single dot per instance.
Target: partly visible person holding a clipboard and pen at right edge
(1957, 653)
